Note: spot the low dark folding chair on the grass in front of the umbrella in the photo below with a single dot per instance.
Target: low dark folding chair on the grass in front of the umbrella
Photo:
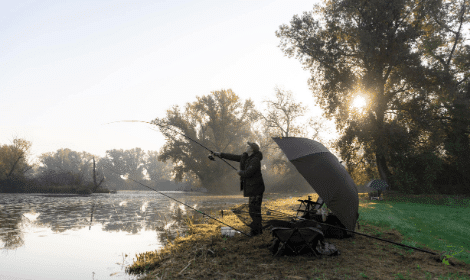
(295, 240)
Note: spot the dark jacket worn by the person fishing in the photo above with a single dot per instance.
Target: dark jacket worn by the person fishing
(251, 180)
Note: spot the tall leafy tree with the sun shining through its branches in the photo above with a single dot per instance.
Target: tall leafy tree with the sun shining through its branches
(362, 48)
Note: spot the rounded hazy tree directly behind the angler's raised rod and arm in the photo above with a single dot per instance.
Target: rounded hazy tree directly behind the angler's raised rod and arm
(219, 121)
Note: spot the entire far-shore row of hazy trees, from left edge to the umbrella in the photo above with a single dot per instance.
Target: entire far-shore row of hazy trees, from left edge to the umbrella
(220, 121)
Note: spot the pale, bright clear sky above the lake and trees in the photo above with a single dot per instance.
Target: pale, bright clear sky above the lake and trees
(68, 68)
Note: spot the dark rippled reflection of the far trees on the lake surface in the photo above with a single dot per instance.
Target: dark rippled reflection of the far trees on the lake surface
(129, 213)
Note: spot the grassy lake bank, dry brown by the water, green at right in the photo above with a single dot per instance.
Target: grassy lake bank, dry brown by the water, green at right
(204, 254)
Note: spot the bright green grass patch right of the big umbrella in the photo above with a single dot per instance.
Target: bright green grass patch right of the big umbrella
(443, 227)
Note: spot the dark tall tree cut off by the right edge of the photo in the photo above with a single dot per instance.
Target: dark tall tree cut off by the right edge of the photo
(446, 52)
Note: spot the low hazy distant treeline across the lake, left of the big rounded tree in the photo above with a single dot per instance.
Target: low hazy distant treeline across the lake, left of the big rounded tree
(80, 172)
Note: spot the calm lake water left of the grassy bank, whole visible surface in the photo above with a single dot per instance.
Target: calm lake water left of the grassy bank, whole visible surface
(92, 237)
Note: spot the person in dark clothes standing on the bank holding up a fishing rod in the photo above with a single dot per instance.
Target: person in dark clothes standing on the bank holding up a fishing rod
(251, 181)
